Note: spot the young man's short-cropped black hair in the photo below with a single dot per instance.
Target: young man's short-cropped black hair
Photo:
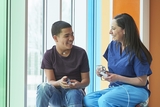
(57, 26)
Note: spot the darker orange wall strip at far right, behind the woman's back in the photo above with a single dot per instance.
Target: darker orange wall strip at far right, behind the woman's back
(155, 51)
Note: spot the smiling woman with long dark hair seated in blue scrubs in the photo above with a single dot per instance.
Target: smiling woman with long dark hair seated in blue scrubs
(129, 66)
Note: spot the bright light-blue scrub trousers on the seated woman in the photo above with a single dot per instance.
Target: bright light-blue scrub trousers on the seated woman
(118, 96)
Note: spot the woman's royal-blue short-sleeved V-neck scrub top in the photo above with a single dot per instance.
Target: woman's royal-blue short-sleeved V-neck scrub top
(119, 63)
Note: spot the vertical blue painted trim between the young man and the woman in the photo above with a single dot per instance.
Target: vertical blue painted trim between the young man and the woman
(94, 43)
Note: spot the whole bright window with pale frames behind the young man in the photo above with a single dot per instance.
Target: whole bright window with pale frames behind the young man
(41, 15)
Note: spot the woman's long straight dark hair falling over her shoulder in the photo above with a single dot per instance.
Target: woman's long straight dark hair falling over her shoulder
(132, 38)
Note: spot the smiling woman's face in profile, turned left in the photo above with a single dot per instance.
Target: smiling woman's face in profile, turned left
(116, 31)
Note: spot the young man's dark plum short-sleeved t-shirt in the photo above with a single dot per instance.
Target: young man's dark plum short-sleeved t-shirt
(71, 66)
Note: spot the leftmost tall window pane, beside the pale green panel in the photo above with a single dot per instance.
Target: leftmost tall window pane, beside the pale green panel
(35, 49)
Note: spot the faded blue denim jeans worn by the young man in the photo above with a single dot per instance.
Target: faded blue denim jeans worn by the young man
(58, 97)
